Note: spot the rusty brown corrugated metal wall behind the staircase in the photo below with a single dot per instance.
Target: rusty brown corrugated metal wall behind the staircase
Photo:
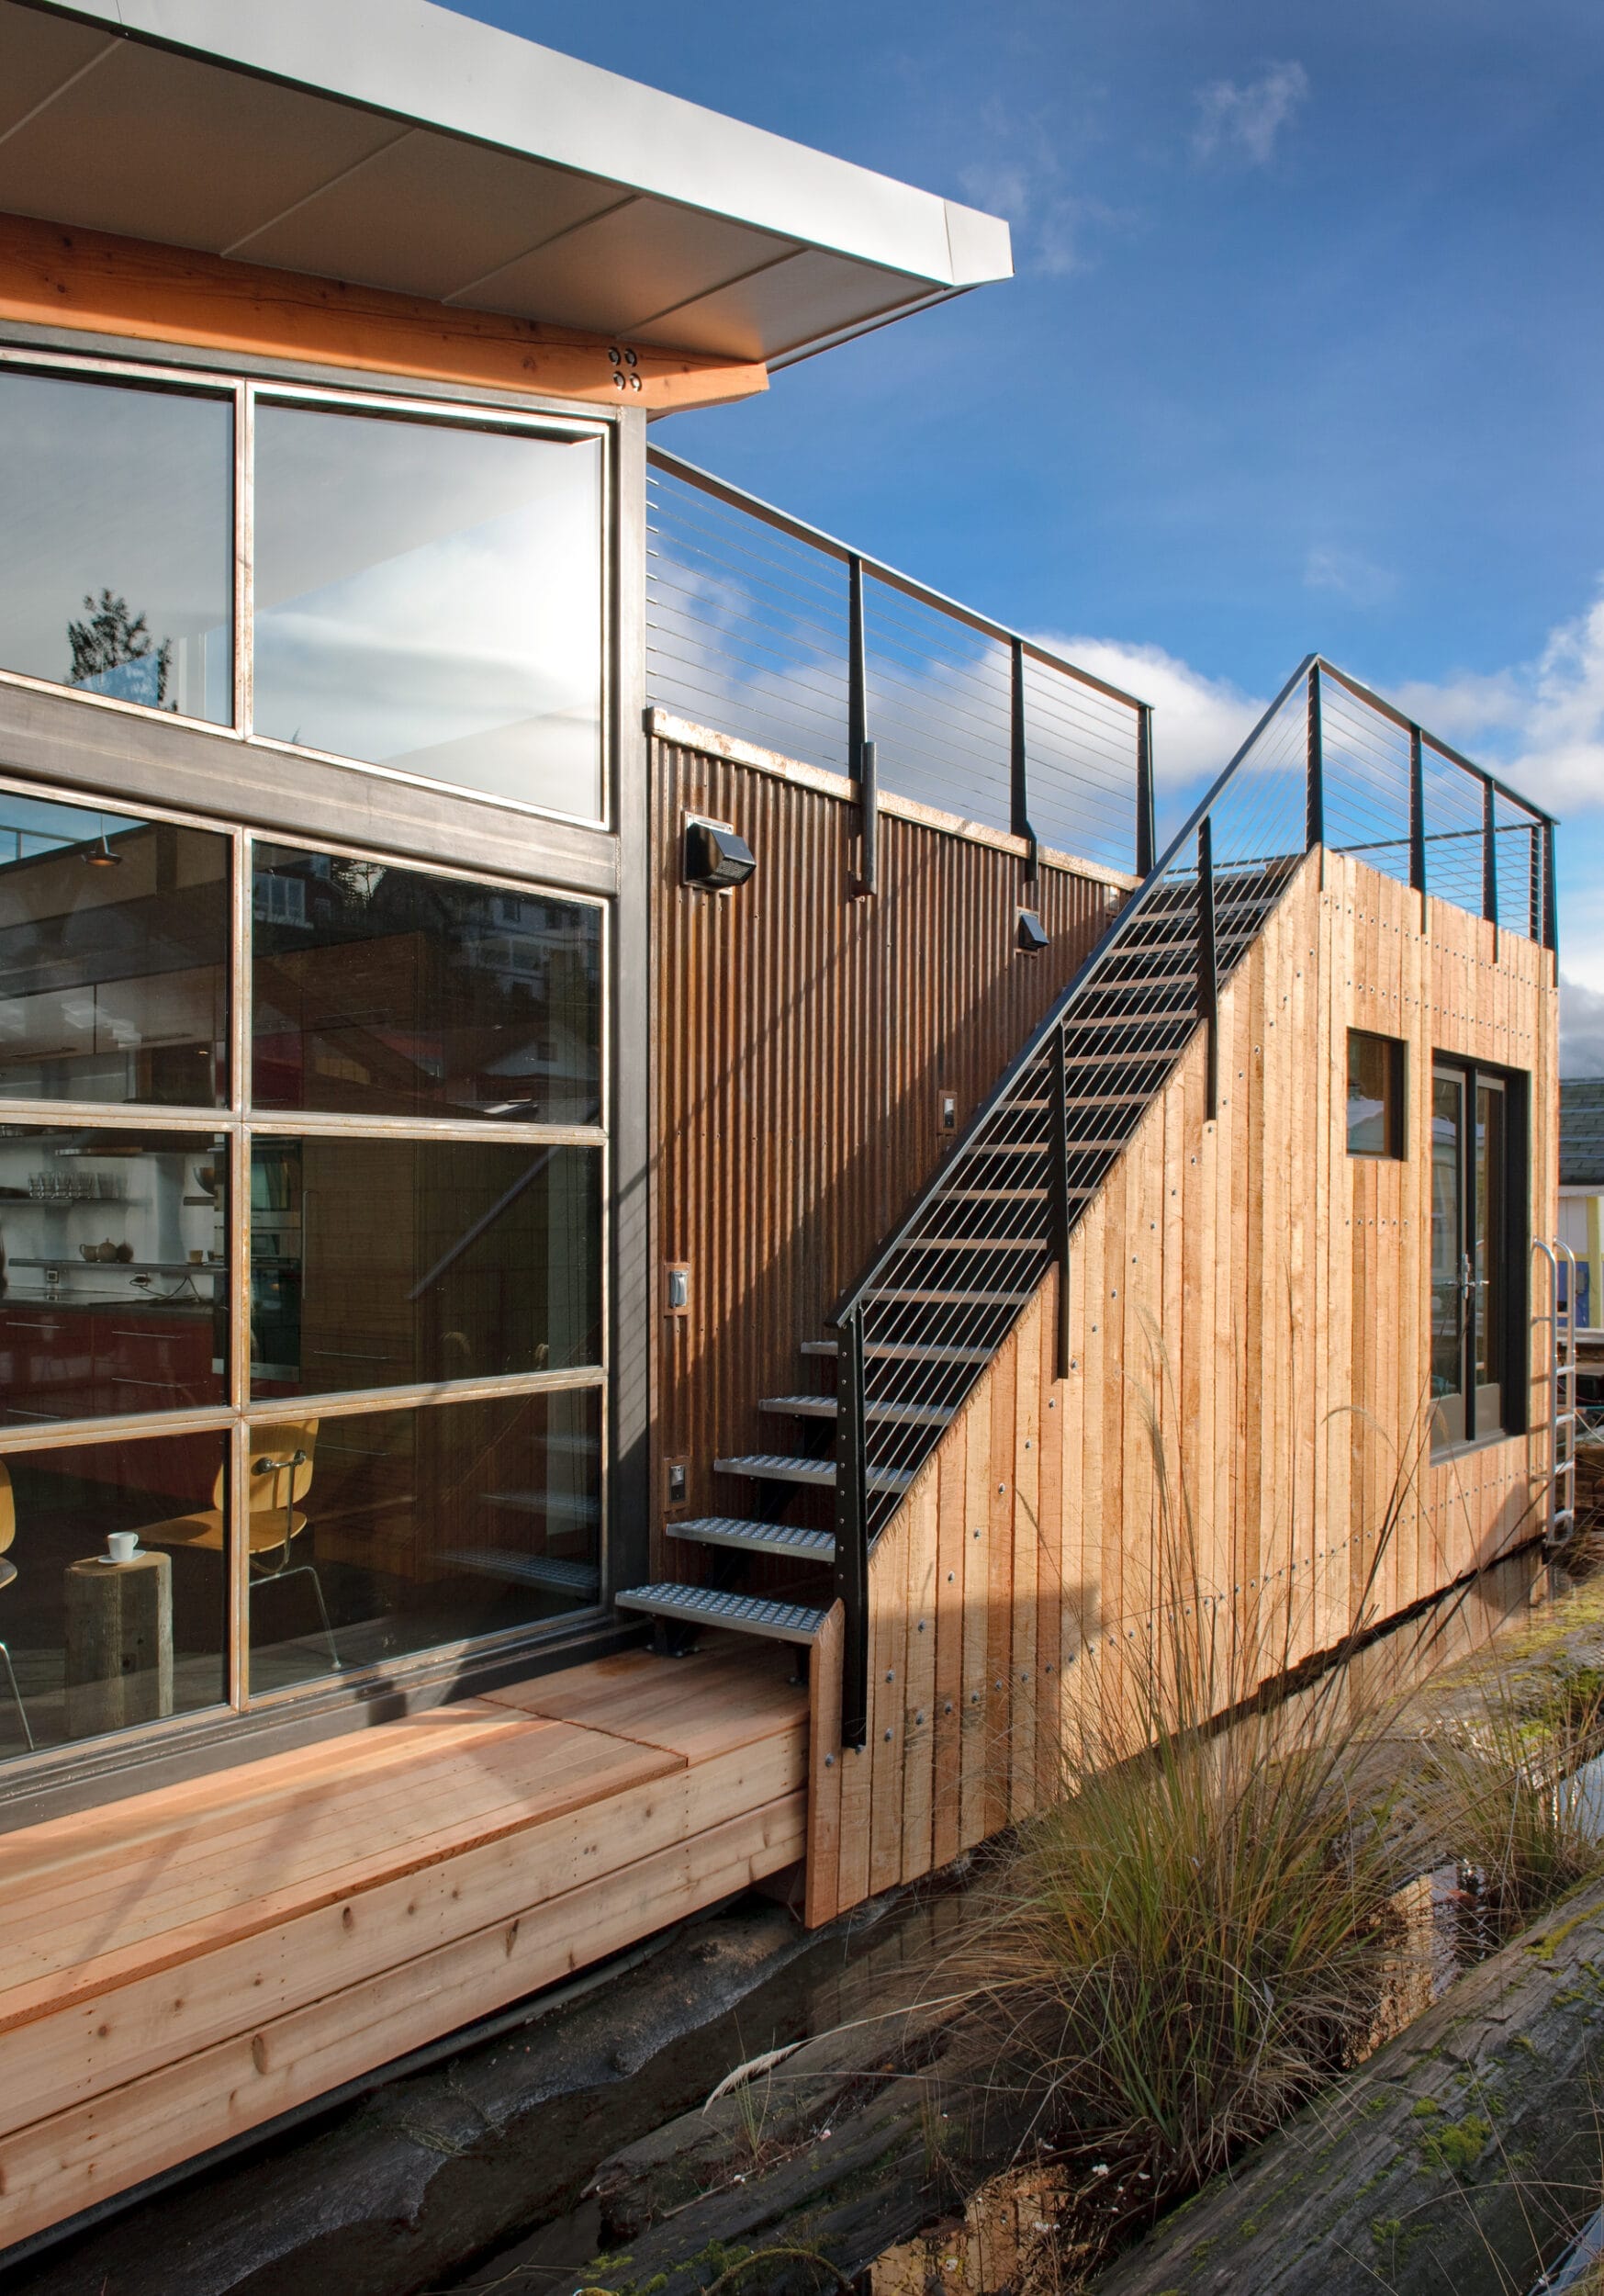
(804, 1041)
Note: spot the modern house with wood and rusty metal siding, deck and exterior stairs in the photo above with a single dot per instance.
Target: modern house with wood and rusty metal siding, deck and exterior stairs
(586, 1064)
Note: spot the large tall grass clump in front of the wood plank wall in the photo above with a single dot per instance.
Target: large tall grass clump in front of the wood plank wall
(1201, 1932)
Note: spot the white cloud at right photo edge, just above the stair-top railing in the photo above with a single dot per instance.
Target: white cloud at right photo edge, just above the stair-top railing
(1541, 722)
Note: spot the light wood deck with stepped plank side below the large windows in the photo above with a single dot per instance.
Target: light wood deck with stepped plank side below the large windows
(182, 1967)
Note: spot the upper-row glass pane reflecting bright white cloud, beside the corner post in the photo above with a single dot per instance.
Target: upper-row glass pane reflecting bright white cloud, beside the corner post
(430, 598)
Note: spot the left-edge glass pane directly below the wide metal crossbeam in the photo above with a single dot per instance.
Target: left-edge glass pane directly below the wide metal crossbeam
(114, 959)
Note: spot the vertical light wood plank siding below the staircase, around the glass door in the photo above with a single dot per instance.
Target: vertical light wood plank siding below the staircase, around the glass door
(1261, 1303)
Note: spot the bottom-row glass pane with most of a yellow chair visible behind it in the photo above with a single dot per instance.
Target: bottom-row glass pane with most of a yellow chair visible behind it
(423, 1528)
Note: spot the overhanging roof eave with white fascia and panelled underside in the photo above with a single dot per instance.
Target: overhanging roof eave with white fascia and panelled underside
(394, 143)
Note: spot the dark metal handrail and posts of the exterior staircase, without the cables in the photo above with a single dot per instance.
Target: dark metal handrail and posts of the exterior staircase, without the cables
(852, 1464)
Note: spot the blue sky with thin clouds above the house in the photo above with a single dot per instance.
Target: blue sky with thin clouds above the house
(1305, 348)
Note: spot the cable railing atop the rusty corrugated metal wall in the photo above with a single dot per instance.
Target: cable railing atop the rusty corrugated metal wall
(770, 630)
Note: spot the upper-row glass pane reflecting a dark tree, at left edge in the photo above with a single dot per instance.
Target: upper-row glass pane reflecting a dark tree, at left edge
(118, 518)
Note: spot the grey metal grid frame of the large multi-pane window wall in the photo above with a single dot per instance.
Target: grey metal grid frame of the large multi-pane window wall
(79, 750)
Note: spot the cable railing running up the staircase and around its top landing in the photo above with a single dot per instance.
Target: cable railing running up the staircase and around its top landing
(1332, 766)
